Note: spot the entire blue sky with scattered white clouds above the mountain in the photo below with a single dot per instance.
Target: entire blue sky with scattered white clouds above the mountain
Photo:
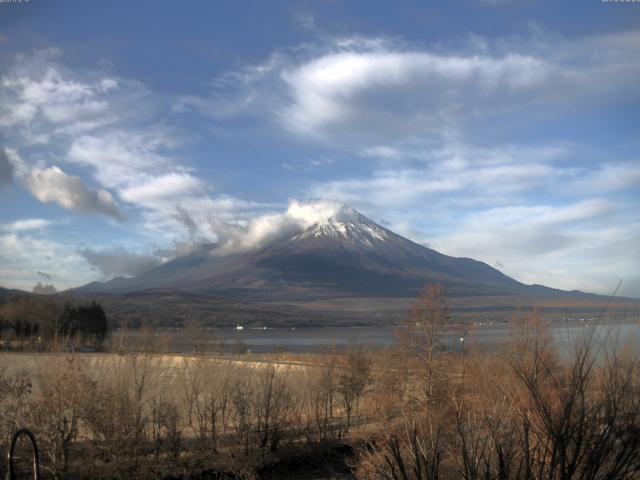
(506, 131)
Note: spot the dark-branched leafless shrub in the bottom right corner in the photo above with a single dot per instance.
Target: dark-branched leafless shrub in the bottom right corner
(580, 420)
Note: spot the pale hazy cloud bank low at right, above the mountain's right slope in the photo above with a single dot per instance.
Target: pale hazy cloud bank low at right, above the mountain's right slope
(588, 245)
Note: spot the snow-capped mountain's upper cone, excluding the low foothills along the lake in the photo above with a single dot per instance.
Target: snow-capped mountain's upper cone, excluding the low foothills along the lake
(344, 255)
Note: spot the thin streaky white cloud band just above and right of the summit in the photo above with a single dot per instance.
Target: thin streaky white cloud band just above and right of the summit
(453, 172)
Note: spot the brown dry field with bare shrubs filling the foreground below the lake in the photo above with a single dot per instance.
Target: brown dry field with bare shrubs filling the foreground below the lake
(521, 412)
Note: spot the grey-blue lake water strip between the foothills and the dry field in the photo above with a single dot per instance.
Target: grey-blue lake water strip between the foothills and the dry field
(317, 339)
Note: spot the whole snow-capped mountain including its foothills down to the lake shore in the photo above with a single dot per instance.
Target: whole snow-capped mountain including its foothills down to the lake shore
(333, 267)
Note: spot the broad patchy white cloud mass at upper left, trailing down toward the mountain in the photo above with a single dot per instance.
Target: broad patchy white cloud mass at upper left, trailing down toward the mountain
(83, 117)
